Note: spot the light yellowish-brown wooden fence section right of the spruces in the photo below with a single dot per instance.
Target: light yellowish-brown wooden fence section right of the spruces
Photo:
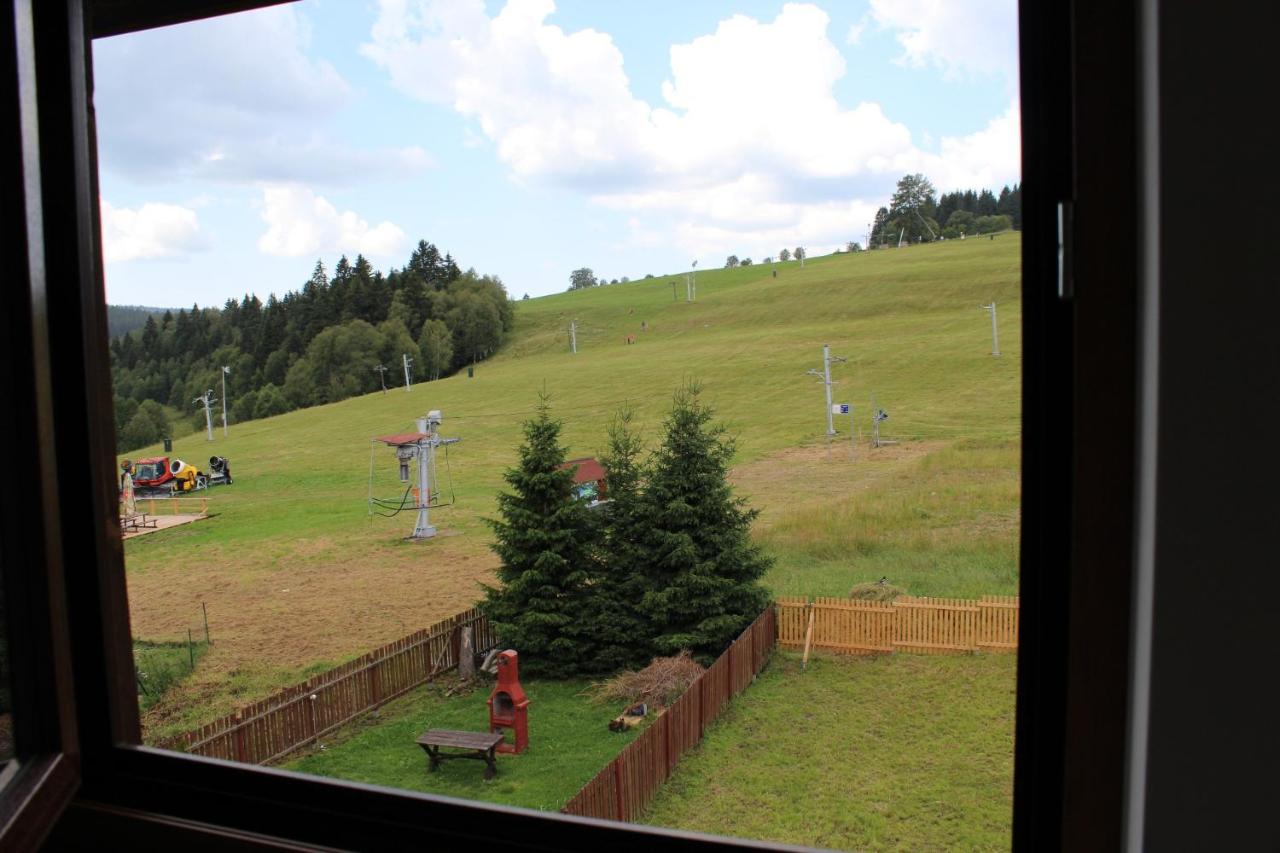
(909, 624)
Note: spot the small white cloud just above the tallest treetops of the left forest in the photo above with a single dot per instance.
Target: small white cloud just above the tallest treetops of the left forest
(303, 223)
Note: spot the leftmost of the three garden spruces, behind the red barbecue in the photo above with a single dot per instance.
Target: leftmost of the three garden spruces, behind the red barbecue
(546, 541)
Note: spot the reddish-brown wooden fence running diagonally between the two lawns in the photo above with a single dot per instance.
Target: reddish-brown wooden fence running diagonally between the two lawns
(627, 786)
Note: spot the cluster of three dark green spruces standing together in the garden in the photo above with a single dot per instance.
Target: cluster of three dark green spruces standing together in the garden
(665, 564)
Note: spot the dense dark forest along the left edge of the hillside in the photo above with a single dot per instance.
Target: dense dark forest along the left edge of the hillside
(317, 345)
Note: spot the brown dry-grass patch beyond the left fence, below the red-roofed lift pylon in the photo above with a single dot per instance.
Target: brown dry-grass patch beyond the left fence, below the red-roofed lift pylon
(313, 603)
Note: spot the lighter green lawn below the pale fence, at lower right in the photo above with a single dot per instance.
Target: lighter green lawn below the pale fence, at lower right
(899, 752)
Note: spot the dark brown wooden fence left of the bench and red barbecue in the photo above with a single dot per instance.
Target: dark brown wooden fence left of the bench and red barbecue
(298, 715)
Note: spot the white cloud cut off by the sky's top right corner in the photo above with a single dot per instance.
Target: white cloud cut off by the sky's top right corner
(975, 39)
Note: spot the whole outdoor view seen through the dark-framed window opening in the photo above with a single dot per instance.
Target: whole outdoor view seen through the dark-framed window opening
(678, 354)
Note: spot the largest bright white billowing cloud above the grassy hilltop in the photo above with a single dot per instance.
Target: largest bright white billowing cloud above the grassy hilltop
(749, 148)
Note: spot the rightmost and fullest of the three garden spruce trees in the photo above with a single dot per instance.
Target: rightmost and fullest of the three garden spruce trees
(703, 569)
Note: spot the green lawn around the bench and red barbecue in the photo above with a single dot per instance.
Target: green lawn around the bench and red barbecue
(569, 743)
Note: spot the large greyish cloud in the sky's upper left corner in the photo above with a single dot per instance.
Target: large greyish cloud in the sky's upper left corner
(237, 98)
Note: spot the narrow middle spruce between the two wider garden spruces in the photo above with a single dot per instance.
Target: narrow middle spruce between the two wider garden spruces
(620, 632)
